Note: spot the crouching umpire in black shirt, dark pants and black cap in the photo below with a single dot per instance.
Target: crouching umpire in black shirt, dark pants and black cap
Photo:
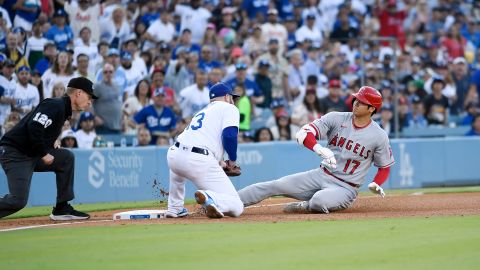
(30, 146)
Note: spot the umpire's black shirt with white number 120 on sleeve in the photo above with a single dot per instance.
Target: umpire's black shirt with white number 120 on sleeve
(38, 130)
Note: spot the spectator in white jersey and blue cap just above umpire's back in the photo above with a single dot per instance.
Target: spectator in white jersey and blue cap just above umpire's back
(26, 95)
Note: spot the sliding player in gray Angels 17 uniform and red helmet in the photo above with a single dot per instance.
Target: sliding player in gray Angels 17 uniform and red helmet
(354, 142)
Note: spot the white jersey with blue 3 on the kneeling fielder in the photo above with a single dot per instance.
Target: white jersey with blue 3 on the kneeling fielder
(205, 129)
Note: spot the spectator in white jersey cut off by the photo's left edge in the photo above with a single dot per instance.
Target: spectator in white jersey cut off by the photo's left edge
(7, 88)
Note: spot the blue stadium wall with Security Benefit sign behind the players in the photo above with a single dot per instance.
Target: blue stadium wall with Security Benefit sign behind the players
(137, 174)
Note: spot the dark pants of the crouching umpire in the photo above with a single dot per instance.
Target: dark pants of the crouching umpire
(19, 169)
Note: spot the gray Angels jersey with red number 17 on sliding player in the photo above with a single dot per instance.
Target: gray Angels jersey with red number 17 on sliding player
(355, 148)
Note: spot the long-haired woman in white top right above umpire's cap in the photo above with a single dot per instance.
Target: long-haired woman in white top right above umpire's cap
(61, 70)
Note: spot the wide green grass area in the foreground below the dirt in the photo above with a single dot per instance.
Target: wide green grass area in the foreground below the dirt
(396, 243)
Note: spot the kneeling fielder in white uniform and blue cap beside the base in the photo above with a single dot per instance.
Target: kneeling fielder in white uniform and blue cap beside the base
(198, 154)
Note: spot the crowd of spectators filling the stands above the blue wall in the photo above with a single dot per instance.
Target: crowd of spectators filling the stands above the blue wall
(153, 62)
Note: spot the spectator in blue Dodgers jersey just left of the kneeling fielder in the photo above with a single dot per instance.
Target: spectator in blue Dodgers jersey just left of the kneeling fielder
(157, 118)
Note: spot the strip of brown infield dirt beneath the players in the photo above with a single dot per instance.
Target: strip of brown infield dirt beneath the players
(368, 207)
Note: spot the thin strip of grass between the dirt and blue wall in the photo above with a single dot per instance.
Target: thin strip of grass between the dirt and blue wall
(46, 210)
